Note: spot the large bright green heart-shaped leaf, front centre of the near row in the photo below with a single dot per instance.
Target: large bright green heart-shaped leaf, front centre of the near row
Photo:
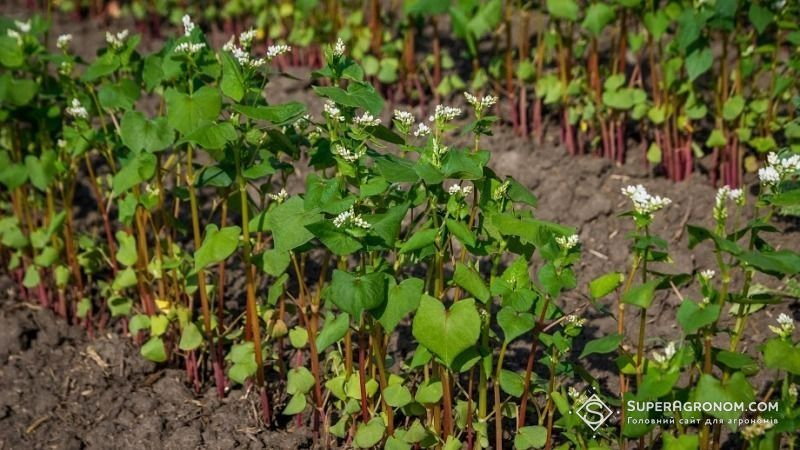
(446, 333)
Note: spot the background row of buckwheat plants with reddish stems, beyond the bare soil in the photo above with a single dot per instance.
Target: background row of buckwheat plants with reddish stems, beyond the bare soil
(681, 78)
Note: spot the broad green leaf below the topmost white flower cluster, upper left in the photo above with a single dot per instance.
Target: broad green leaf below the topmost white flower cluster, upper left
(186, 112)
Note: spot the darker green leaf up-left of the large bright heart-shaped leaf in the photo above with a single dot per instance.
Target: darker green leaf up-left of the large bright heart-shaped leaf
(354, 294)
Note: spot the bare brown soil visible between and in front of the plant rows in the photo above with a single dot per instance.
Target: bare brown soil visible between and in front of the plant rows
(58, 389)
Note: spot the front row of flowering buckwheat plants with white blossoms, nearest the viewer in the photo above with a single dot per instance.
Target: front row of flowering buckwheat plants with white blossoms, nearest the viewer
(385, 301)
